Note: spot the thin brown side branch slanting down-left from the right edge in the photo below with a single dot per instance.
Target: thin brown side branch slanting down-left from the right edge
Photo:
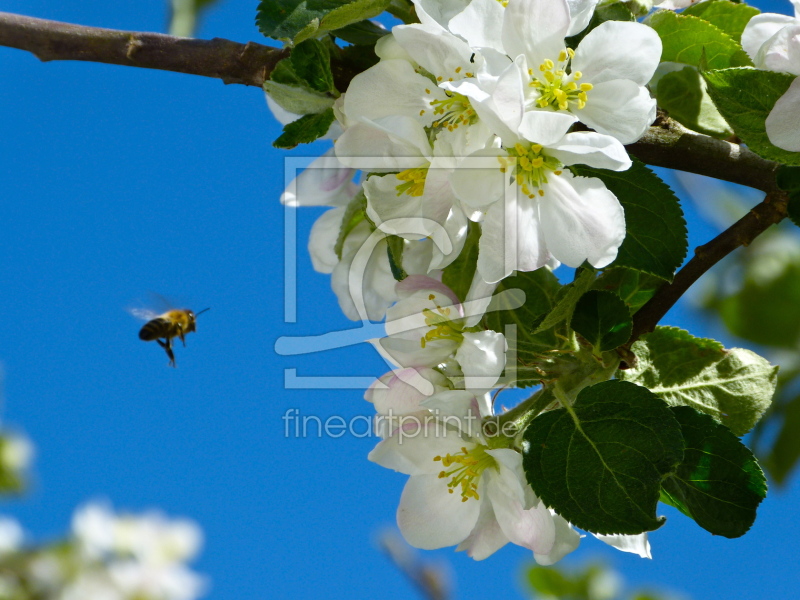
(769, 212)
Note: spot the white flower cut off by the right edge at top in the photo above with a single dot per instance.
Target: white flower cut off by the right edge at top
(773, 42)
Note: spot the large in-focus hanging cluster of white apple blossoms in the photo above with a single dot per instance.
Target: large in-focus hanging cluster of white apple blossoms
(472, 119)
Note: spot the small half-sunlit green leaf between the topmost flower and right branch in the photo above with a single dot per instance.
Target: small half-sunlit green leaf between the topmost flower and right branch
(683, 95)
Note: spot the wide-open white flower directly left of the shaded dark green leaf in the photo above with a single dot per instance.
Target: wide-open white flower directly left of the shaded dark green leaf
(536, 210)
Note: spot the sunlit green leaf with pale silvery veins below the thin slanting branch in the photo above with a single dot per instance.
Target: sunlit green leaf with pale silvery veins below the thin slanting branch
(733, 386)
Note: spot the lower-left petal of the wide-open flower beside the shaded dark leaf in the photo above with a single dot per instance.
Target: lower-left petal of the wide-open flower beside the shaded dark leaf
(512, 238)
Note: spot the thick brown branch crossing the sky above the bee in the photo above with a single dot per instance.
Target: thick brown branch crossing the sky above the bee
(248, 64)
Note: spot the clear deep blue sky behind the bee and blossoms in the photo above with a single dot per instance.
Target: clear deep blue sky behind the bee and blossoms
(118, 181)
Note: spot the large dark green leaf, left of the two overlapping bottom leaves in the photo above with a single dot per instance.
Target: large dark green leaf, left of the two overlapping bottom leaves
(601, 468)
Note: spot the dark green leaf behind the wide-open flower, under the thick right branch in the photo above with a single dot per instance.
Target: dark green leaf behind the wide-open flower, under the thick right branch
(656, 239)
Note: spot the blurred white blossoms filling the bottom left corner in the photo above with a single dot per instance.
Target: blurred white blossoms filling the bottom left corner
(108, 557)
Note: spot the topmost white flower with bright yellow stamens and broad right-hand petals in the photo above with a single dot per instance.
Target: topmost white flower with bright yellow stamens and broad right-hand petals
(601, 83)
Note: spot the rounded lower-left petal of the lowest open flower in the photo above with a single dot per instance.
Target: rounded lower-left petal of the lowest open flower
(429, 517)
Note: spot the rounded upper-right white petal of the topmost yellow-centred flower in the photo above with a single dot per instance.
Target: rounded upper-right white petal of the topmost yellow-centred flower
(618, 50)
